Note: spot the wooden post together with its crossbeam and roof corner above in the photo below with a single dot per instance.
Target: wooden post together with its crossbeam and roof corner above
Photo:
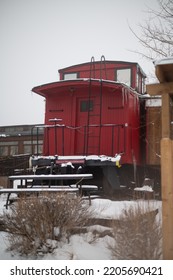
(165, 89)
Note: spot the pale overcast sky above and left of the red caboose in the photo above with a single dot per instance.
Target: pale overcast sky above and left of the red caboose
(38, 37)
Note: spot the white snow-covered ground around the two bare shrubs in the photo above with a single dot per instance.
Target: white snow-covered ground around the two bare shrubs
(84, 246)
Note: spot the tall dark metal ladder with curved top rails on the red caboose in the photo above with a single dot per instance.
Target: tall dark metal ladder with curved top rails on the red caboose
(94, 127)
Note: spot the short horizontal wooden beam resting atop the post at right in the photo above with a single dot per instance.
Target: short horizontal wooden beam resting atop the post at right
(160, 89)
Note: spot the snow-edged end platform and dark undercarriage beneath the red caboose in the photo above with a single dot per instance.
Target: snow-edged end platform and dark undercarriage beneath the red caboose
(108, 174)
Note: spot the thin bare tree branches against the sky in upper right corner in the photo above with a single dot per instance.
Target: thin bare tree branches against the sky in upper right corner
(157, 32)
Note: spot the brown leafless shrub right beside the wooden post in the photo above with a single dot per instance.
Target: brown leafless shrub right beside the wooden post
(137, 236)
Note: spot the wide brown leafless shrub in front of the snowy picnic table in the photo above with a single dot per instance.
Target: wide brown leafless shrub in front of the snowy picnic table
(35, 222)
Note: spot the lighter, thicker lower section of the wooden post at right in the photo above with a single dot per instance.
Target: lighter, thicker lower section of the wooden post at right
(167, 197)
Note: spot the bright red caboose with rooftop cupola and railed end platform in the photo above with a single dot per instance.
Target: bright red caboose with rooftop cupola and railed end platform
(94, 110)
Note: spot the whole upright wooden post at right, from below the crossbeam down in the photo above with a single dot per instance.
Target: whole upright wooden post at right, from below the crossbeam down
(167, 179)
